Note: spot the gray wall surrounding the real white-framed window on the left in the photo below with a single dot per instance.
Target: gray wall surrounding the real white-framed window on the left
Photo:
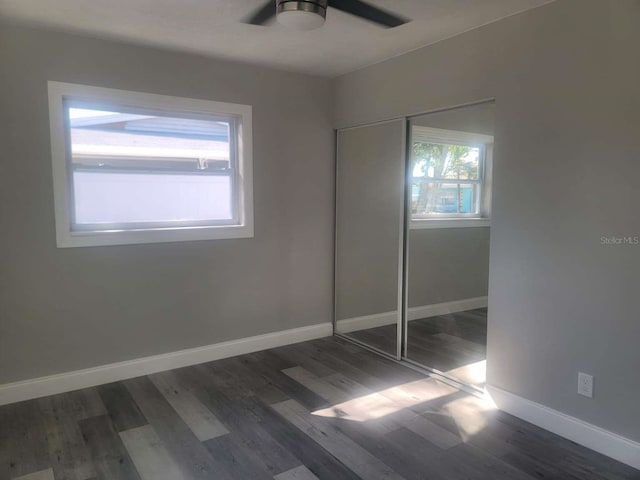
(69, 309)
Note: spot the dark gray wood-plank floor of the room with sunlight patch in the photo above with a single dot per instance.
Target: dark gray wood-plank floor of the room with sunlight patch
(323, 409)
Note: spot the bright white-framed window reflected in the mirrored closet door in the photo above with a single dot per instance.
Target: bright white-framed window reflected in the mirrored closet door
(449, 177)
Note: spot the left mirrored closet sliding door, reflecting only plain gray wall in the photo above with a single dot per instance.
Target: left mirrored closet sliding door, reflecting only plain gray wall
(369, 234)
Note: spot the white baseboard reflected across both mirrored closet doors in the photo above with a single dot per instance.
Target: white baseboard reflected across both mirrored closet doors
(415, 313)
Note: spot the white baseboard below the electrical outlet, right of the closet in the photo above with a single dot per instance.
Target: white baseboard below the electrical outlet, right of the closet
(602, 441)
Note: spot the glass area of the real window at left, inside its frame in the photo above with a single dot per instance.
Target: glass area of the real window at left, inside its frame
(146, 168)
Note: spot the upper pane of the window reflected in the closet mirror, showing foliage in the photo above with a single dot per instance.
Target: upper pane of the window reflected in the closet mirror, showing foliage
(446, 161)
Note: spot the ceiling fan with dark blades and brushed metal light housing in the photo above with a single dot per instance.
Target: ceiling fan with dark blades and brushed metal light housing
(310, 14)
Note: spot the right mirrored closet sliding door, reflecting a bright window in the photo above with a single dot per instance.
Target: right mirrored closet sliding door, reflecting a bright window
(447, 241)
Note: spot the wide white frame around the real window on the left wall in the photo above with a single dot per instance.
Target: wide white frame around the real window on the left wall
(66, 236)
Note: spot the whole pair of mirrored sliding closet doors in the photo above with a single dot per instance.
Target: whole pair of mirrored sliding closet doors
(412, 239)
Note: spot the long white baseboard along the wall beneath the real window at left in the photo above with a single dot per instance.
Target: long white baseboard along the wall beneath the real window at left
(66, 382)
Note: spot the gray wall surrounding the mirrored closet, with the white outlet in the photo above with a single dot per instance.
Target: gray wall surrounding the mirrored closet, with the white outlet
(565, 77)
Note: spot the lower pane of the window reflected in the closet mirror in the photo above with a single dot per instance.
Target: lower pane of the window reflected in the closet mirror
(429, 198)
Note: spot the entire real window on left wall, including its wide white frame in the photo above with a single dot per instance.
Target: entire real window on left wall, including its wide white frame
(140, 168)
